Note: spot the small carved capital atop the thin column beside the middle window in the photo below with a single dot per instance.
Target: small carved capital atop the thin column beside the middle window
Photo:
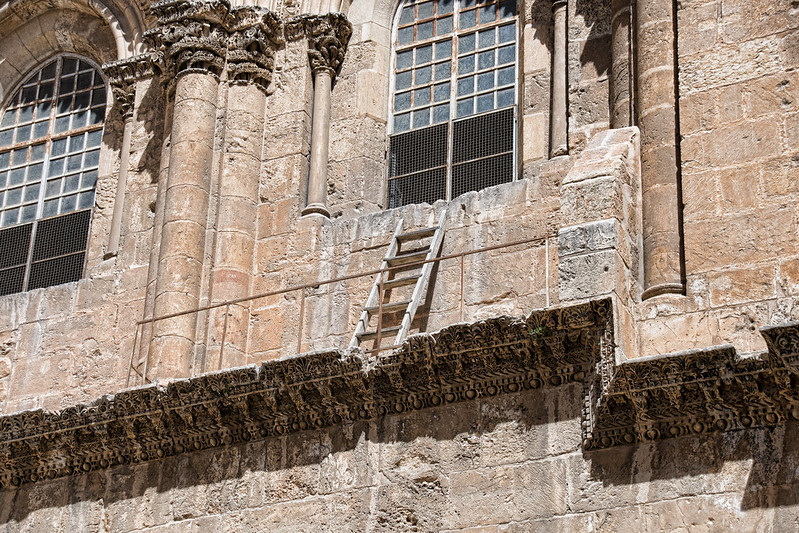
(328, 36)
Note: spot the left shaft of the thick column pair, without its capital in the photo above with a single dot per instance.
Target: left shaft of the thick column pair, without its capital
(185, 219)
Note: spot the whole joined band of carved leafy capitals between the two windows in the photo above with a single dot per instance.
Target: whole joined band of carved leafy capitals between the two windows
(209, 36)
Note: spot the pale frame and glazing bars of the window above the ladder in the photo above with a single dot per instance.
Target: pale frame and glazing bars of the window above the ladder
(454, 36)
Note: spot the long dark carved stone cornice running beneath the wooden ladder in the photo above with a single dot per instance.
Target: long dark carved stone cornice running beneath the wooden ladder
(638, 401)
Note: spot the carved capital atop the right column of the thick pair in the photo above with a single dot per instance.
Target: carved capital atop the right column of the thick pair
(255, 35)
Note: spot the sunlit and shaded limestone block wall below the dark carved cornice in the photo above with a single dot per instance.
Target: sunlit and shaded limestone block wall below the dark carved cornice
(508, 463)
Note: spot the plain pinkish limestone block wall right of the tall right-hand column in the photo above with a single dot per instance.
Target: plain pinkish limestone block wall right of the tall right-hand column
(738, 110)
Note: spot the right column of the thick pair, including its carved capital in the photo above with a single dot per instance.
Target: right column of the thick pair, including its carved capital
(251, 50)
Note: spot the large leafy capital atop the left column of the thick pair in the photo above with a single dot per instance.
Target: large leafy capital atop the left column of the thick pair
(191, 35)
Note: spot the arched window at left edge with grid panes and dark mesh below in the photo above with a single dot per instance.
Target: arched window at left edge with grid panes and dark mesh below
(50, 135)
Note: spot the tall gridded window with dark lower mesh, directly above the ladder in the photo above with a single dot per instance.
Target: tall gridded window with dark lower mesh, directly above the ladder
(453, 100)
